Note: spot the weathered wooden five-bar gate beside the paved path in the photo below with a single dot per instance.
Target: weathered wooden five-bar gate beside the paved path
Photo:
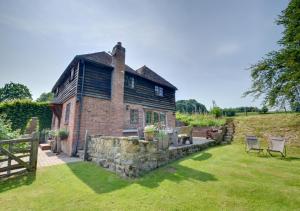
(18, 155)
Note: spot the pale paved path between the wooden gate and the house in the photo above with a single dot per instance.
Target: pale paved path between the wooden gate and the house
(48, 158)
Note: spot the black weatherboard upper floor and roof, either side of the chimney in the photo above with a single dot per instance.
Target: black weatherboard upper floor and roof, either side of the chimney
(142, 86)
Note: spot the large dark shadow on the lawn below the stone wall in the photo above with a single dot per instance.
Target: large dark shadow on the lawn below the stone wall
(103, 181)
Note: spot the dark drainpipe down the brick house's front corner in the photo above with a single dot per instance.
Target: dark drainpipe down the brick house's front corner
(74, 151)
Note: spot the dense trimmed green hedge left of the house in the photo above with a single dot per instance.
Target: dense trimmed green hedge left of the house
(19, 112)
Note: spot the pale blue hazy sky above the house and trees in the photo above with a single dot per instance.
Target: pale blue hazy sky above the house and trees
(203, 47)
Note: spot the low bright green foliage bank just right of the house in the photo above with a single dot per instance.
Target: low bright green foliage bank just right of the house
(199, 120)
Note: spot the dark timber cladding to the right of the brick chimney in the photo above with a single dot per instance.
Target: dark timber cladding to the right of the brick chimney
(143, 94)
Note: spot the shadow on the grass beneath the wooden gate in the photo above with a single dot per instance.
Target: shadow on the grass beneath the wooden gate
(17, 181)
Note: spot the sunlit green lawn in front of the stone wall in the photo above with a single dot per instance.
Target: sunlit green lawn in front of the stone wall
(223, 177)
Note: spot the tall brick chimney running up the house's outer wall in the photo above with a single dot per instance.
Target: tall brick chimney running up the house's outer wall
(117, 92)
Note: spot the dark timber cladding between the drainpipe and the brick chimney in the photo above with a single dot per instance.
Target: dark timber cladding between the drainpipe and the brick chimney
(97, 81)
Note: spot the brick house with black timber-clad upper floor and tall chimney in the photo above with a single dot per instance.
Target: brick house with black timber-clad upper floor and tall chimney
(100, 94)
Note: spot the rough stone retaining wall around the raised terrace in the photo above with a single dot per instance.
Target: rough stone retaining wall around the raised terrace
(130, 157)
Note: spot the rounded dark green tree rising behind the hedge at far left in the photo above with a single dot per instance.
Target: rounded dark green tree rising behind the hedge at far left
(14, 91)
